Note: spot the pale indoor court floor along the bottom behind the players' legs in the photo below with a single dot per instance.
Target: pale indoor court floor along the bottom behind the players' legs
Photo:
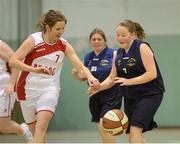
(160, 135)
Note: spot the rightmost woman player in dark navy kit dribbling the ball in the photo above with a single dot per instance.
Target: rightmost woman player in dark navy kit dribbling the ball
(136, 71)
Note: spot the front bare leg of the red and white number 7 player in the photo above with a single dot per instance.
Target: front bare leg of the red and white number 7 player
(43, 119)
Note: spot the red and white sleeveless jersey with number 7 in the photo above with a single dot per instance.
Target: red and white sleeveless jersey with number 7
(43, 54)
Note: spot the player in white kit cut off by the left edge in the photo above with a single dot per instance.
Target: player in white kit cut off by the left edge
(7, 96)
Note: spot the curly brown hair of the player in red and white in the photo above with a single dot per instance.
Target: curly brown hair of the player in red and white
(50, 18)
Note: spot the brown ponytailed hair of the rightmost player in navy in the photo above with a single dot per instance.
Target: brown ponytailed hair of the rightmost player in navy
(134, 27)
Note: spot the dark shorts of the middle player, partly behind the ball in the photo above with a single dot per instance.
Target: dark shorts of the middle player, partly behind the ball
(102, 102)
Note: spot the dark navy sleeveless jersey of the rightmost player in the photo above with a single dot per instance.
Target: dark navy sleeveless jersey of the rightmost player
(129, 65)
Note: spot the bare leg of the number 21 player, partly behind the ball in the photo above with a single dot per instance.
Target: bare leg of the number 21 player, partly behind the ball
(106, 137)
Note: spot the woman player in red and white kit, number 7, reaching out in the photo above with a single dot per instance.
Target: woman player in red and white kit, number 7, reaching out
(38, 85)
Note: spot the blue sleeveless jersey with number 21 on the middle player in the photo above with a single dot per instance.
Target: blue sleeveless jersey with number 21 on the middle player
(100, 67)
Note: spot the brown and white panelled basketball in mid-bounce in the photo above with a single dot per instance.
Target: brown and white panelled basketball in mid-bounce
(115, 122)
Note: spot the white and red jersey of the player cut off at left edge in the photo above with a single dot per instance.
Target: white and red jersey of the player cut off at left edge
(4, 74)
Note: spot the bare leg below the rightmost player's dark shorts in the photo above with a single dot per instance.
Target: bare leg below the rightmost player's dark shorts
(135, 135)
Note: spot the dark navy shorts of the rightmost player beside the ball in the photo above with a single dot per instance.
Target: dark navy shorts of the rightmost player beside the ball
(141, 111)
